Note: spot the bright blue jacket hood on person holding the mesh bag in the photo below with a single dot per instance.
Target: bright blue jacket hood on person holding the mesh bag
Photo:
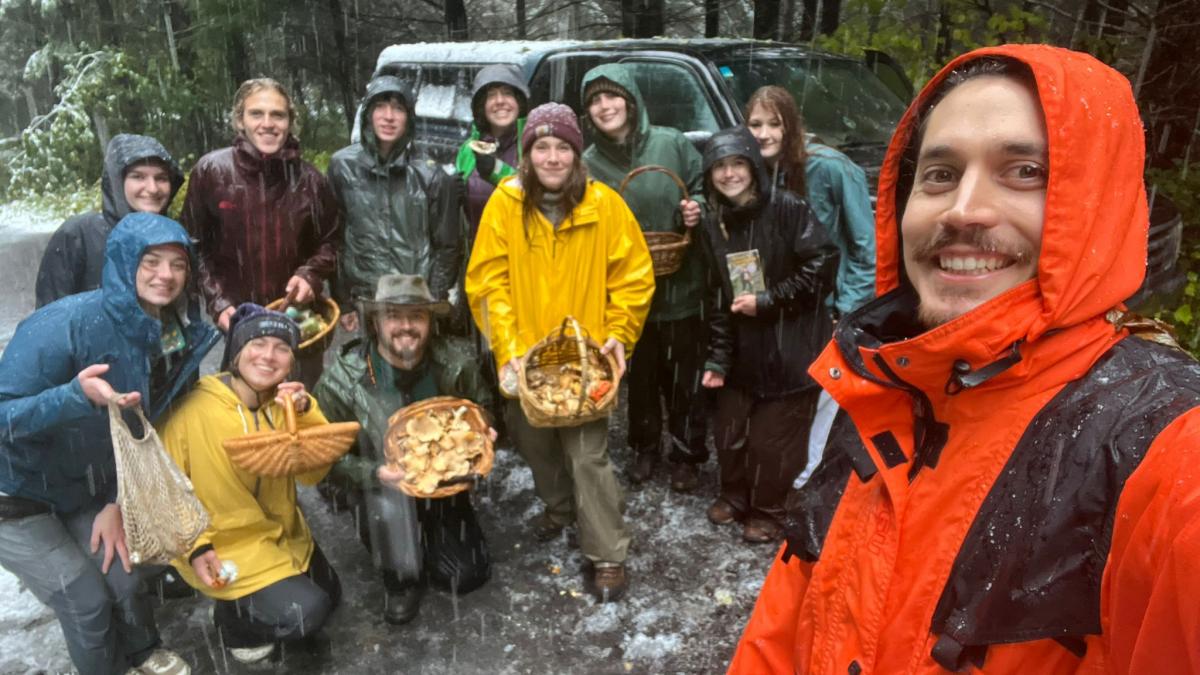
(131, 237)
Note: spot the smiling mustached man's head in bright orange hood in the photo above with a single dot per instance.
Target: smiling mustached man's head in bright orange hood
(1051, 177)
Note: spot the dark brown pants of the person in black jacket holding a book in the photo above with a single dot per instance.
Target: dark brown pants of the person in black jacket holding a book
(763, 447)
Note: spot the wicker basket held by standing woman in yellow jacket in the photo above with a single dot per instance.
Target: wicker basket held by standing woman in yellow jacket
(559, 349)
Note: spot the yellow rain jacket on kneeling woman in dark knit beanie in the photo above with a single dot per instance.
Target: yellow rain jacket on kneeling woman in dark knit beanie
(255, 522)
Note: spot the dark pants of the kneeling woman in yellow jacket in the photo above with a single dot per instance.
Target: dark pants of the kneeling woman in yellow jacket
(289, 610)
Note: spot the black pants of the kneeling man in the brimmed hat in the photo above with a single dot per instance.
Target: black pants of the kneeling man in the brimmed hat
(454, 551)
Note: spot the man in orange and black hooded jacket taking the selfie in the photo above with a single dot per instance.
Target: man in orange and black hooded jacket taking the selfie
(1015, 485)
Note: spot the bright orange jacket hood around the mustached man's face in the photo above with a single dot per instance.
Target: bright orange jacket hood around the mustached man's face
(1095, 195)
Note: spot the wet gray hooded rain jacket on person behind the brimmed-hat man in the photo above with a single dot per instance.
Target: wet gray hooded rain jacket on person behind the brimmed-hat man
(400, 216)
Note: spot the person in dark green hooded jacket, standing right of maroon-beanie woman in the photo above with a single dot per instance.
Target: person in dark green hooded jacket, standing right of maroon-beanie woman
(670, 354)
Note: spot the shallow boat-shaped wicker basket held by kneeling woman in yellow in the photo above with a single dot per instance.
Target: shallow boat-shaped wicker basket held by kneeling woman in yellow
(291, 451)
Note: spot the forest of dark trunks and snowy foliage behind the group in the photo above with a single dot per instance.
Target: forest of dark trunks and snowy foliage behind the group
(76, 73)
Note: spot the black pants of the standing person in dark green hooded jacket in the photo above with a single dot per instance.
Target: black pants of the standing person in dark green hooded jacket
(668, 367)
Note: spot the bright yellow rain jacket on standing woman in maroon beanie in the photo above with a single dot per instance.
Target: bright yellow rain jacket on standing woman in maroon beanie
(596, 267)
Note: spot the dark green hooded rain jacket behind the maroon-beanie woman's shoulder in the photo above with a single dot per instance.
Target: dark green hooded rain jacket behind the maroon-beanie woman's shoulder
(653, 198)
